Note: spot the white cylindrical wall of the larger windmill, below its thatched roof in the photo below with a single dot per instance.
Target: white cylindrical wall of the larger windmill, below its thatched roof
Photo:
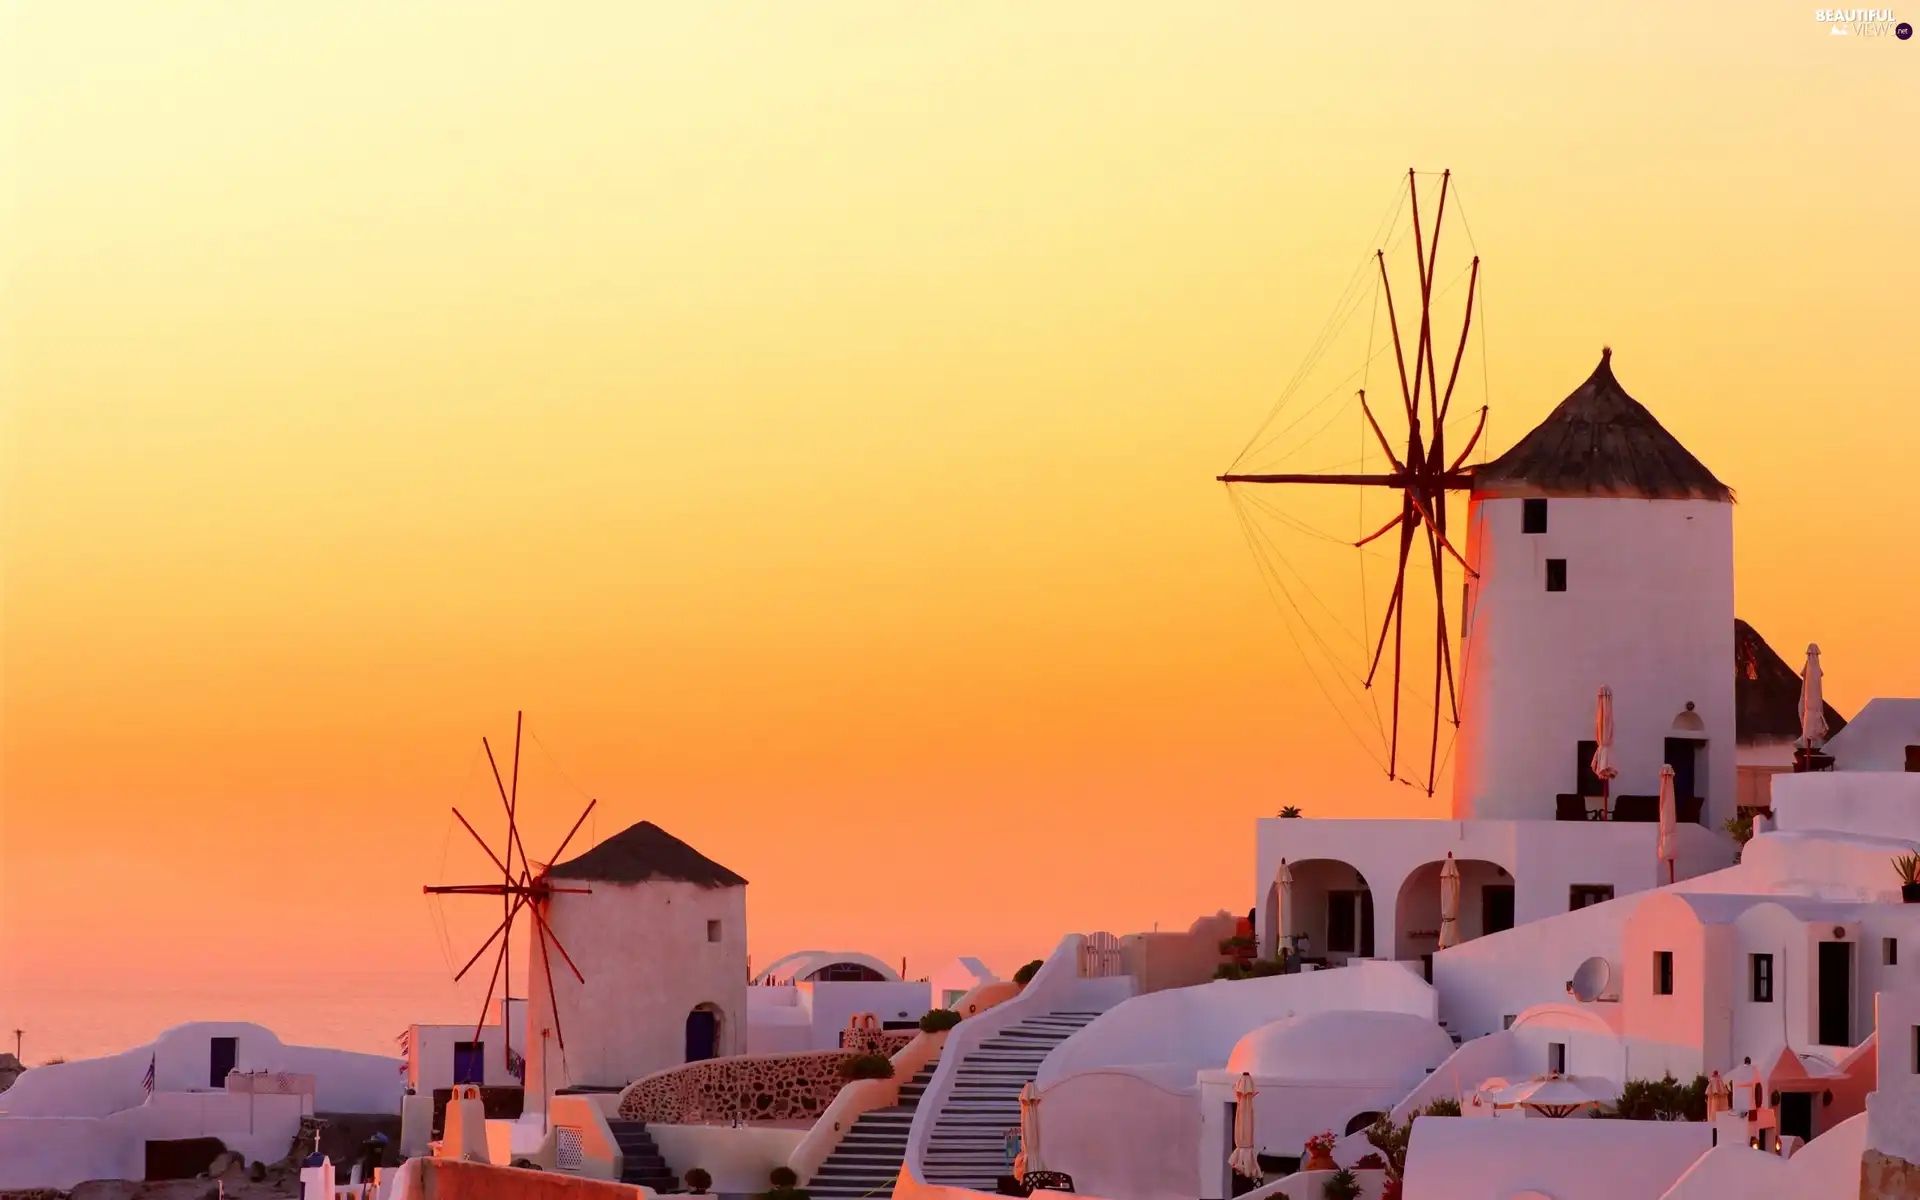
(1648, 612)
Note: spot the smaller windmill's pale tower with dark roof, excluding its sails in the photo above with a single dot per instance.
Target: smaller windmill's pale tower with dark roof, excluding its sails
(661, 946)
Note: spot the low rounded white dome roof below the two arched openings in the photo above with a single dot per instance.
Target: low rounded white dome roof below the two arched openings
(1343, 1047)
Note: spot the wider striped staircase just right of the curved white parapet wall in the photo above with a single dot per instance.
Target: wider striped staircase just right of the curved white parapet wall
(967, 1145)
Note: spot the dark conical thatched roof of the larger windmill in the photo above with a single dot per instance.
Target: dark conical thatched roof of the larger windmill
(1600, 443)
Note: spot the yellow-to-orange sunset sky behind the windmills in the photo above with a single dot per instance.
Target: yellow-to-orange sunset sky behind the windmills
(809, 414)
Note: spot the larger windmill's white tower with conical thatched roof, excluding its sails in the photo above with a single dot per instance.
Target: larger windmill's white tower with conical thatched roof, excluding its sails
(1604, 558)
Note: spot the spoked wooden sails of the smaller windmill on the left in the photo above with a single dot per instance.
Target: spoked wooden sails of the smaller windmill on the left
(523, 886)
